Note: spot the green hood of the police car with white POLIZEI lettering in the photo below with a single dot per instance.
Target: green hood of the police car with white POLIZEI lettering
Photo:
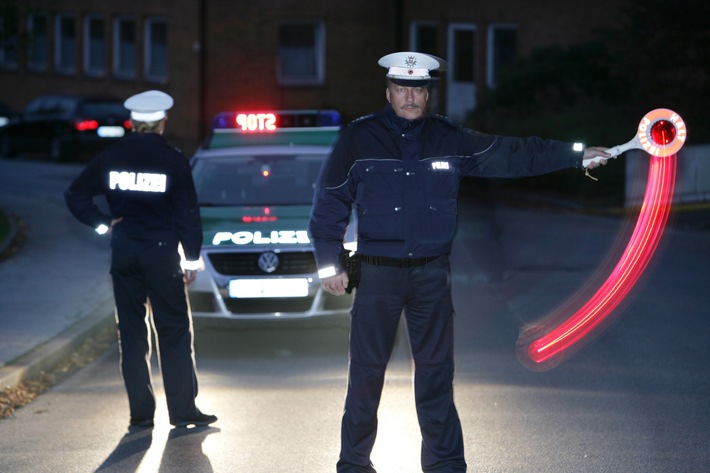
(256, 226)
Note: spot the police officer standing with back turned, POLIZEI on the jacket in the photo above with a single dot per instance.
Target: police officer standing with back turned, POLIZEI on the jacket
(153, 210)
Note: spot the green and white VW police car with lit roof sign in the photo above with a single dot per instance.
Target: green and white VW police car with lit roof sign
(255, 179)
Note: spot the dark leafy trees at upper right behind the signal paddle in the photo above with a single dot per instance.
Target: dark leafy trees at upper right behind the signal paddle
(597, 92)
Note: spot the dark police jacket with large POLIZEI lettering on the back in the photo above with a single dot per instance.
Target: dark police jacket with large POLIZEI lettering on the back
(148, 184)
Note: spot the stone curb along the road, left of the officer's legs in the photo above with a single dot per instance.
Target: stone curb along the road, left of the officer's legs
(49, 354)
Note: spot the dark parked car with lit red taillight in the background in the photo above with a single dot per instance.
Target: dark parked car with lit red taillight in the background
(65, 126)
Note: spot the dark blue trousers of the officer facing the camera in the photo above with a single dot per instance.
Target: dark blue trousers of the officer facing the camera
(424, 294)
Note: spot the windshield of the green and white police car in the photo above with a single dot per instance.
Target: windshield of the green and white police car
(241, 180)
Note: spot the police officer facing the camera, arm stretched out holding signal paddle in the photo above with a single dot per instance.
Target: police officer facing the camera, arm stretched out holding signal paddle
(399, 170)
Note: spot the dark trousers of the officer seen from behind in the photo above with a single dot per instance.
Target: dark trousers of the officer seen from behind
(144, 284)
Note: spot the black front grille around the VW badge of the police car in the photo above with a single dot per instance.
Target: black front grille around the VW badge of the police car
(246, 264)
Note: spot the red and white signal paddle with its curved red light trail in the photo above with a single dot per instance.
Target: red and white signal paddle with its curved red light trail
(661, 133)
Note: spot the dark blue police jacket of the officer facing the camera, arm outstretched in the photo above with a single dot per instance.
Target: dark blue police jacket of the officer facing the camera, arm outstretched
(402, 177)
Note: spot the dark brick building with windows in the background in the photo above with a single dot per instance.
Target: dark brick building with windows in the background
(215, 55)
